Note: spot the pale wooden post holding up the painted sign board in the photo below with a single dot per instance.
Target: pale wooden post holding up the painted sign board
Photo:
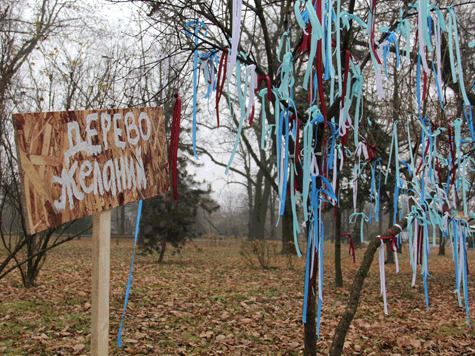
(100, 283)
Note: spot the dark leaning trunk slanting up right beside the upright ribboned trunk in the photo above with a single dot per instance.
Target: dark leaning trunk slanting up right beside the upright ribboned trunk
(336, 348)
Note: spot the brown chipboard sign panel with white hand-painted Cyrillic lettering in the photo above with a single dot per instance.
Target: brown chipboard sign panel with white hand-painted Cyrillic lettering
(78, 163)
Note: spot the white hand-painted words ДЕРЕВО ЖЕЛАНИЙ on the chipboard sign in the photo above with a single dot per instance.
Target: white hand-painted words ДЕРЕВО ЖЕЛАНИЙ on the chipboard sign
(114, 175)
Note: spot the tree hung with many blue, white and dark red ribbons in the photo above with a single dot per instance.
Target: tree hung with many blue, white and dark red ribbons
(351, 64)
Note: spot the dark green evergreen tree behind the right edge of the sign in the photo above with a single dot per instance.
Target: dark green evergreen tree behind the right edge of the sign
(166, 221)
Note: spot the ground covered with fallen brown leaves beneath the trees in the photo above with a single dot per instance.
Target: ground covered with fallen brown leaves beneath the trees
(208, 300)
